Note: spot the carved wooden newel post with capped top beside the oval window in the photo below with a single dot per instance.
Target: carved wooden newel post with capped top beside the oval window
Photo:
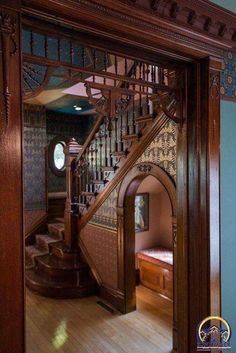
(70, 219)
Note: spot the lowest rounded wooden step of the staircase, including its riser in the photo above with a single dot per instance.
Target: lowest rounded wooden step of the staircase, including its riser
(48, 287)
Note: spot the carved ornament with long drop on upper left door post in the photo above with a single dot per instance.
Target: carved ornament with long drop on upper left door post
(9, 48)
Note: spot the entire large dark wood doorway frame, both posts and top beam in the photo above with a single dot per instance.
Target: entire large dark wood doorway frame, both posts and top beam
(198, 214)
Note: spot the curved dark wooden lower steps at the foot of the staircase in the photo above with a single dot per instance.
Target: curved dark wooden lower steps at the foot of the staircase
(52, 270)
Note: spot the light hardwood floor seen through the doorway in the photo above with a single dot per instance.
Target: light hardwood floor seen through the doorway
(82, 326)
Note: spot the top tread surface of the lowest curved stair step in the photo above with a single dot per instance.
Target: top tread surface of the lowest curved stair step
(45, 281)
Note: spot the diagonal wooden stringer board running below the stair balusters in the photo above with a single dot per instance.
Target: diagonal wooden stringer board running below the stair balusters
(136, 151)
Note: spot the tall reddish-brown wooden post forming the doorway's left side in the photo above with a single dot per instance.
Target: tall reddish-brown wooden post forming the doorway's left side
(11, 227)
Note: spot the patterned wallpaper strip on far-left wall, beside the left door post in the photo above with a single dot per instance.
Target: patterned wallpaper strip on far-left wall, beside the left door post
(35, 140)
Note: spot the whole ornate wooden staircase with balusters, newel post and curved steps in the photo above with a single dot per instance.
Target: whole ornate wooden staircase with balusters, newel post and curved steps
(128, 121)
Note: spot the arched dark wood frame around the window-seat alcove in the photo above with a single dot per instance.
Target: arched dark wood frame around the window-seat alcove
(126, 231)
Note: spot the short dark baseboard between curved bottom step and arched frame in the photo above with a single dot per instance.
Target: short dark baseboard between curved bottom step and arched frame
(113, 296)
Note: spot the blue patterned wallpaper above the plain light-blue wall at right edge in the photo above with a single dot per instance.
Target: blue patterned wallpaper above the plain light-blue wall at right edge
(228, 76)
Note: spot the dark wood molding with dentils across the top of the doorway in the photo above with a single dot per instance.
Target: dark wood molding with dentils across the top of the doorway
(194, 28)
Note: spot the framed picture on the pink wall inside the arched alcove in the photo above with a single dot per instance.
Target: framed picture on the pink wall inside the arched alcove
(141, 209)
